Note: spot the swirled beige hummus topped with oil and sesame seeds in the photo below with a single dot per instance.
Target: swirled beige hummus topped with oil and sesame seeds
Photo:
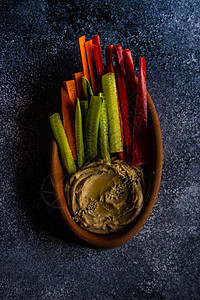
(105, 197)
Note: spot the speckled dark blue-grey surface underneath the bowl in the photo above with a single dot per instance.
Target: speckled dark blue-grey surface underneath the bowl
(40, 50)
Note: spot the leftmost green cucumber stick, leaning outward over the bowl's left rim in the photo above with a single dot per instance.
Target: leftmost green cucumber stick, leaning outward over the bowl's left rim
(61, 139)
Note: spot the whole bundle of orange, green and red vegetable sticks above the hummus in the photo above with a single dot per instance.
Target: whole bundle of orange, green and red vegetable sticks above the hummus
(104, 111)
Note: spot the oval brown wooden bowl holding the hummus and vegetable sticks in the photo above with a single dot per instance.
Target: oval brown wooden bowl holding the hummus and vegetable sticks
(153, 182)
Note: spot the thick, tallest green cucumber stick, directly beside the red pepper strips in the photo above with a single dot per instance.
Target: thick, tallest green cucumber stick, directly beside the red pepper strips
(110, 91)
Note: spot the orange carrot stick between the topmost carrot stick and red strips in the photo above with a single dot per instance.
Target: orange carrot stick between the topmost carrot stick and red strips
(91, 64)
